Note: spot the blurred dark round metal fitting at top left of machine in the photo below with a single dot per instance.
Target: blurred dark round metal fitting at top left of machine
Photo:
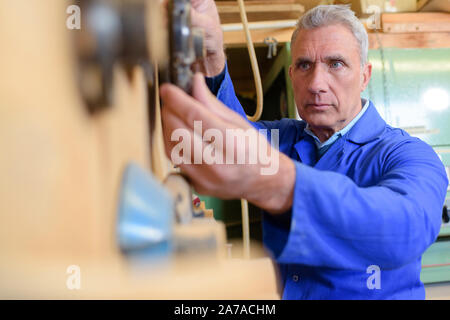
(112, 32)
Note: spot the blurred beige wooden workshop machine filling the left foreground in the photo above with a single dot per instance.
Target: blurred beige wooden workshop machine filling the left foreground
(89, 206)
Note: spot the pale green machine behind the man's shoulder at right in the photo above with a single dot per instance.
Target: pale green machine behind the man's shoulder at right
(411, 89)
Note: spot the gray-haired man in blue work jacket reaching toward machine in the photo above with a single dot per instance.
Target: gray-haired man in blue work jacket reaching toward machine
(355, 202)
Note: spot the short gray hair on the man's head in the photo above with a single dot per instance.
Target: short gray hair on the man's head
(326, 15)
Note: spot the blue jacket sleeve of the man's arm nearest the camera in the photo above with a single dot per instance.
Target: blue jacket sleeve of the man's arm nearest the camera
(337, 224)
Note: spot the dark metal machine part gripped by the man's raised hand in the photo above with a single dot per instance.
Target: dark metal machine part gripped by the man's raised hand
(185, 44)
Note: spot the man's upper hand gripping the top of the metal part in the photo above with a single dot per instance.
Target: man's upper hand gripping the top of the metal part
(204, 15)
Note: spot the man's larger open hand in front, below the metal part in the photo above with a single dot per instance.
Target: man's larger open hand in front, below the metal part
(272, 192)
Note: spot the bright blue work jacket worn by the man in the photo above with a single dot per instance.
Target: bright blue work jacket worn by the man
(362, 215)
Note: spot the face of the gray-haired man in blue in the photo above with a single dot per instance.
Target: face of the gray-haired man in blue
(327, 77)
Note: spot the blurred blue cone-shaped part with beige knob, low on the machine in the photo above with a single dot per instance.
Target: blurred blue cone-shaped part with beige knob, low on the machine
(156, 220)
